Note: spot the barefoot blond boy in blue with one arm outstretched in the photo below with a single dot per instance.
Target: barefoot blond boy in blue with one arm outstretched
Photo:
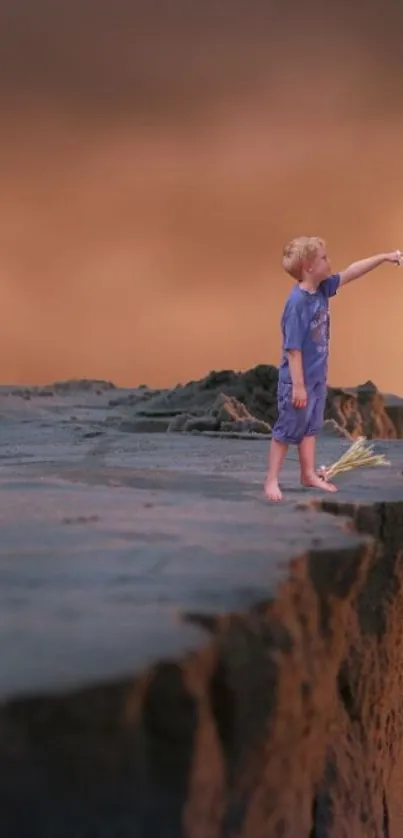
(301, 394)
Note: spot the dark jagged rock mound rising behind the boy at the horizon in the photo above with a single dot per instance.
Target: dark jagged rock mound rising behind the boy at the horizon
(237, 403)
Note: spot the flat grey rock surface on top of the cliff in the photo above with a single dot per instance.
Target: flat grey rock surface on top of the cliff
(109, 539)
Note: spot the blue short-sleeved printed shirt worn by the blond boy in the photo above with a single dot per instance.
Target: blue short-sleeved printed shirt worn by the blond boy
(305, 326)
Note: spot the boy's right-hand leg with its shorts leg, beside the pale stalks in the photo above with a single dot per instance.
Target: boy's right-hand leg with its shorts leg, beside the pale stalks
(307, 447)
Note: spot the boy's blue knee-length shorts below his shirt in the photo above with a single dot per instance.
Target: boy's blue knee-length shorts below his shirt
(294, 423)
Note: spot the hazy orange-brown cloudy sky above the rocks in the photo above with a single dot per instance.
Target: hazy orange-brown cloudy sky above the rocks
(152, 165)
